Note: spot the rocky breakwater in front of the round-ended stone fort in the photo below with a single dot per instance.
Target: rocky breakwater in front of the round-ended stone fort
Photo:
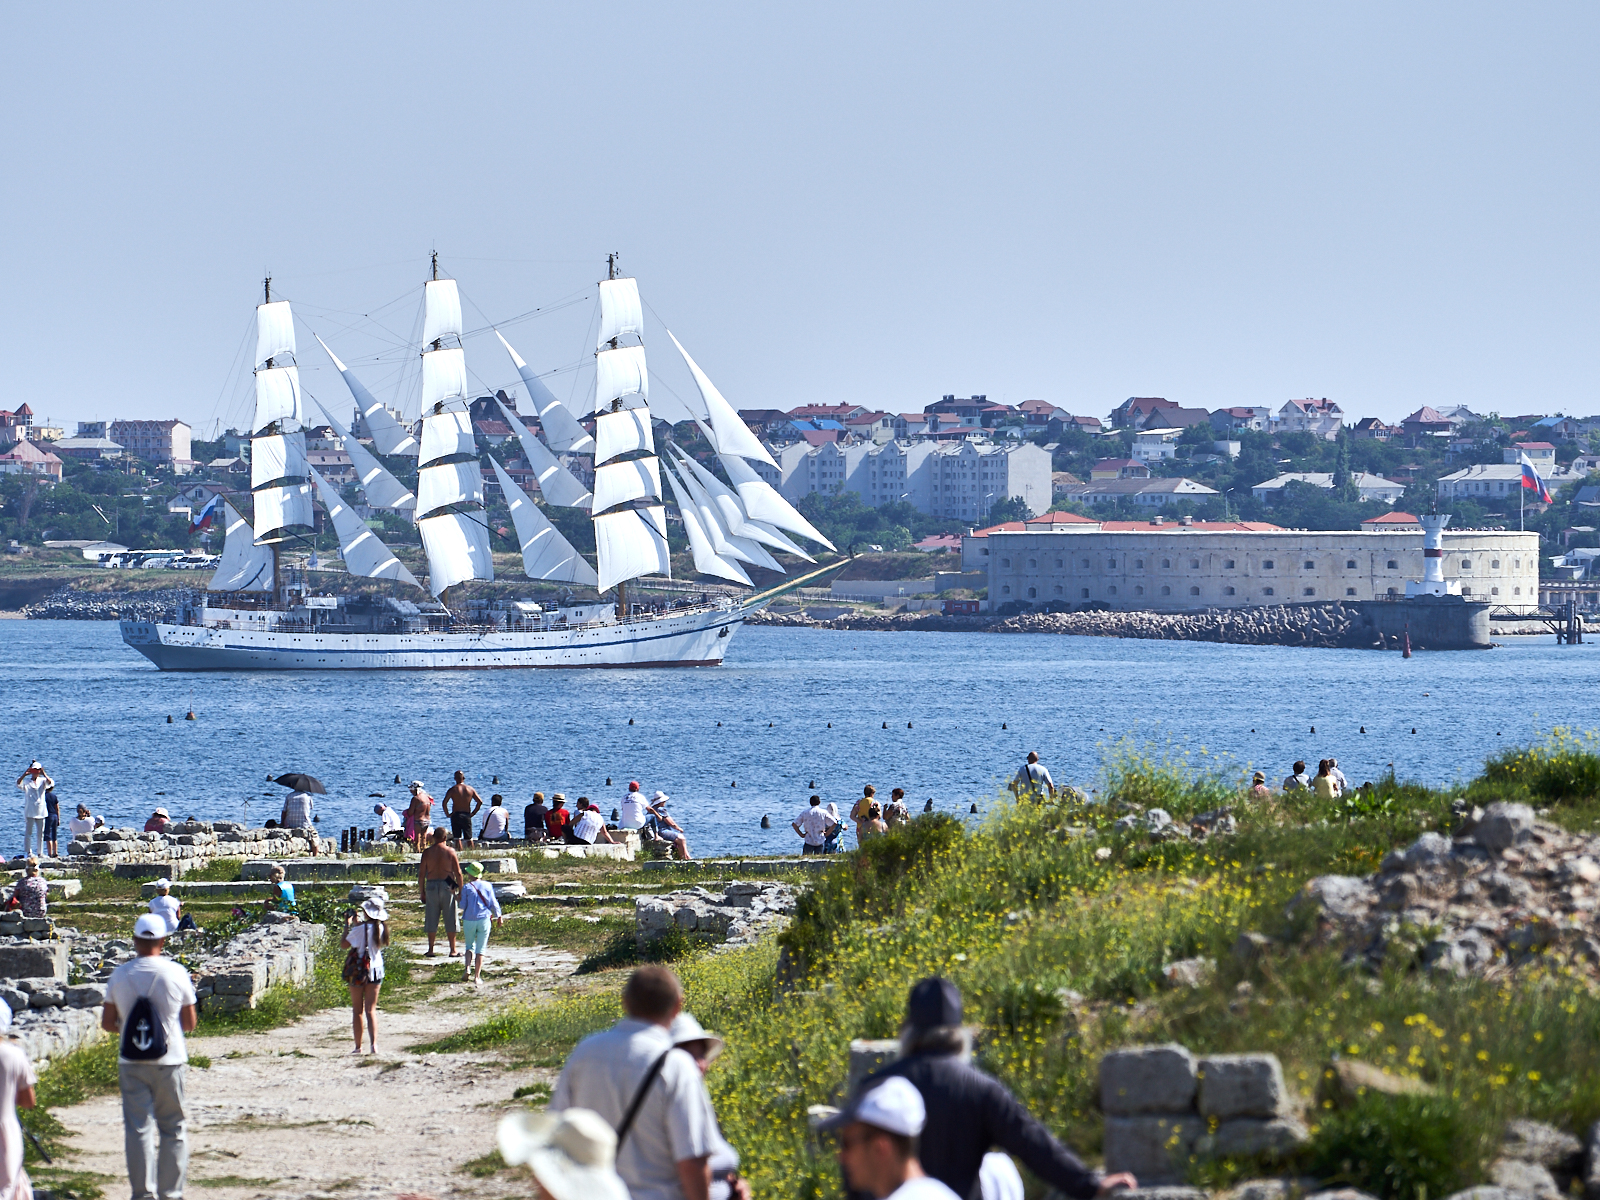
(1337, 625)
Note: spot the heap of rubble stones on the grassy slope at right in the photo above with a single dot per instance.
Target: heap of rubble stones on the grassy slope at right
(1506, 892)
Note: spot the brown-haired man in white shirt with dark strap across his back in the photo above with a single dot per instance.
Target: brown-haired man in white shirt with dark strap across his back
(665, 1153)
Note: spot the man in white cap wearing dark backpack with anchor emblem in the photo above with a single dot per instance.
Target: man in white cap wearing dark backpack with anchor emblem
(151, 1004)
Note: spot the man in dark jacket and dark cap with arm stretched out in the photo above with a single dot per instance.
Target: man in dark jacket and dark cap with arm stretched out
(972, 1113)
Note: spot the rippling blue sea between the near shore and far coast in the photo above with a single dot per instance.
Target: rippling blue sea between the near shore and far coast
(950, 718)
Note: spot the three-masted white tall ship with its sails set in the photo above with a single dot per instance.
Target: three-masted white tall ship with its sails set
(262, 614)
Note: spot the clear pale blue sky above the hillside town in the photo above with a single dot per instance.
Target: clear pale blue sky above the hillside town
(1228, 204)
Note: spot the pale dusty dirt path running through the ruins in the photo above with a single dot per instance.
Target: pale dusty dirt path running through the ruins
(290, 1113)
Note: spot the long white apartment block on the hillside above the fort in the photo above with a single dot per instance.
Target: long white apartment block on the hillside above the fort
(945, 479)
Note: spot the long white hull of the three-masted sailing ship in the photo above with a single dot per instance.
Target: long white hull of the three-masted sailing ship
(673, 641)
